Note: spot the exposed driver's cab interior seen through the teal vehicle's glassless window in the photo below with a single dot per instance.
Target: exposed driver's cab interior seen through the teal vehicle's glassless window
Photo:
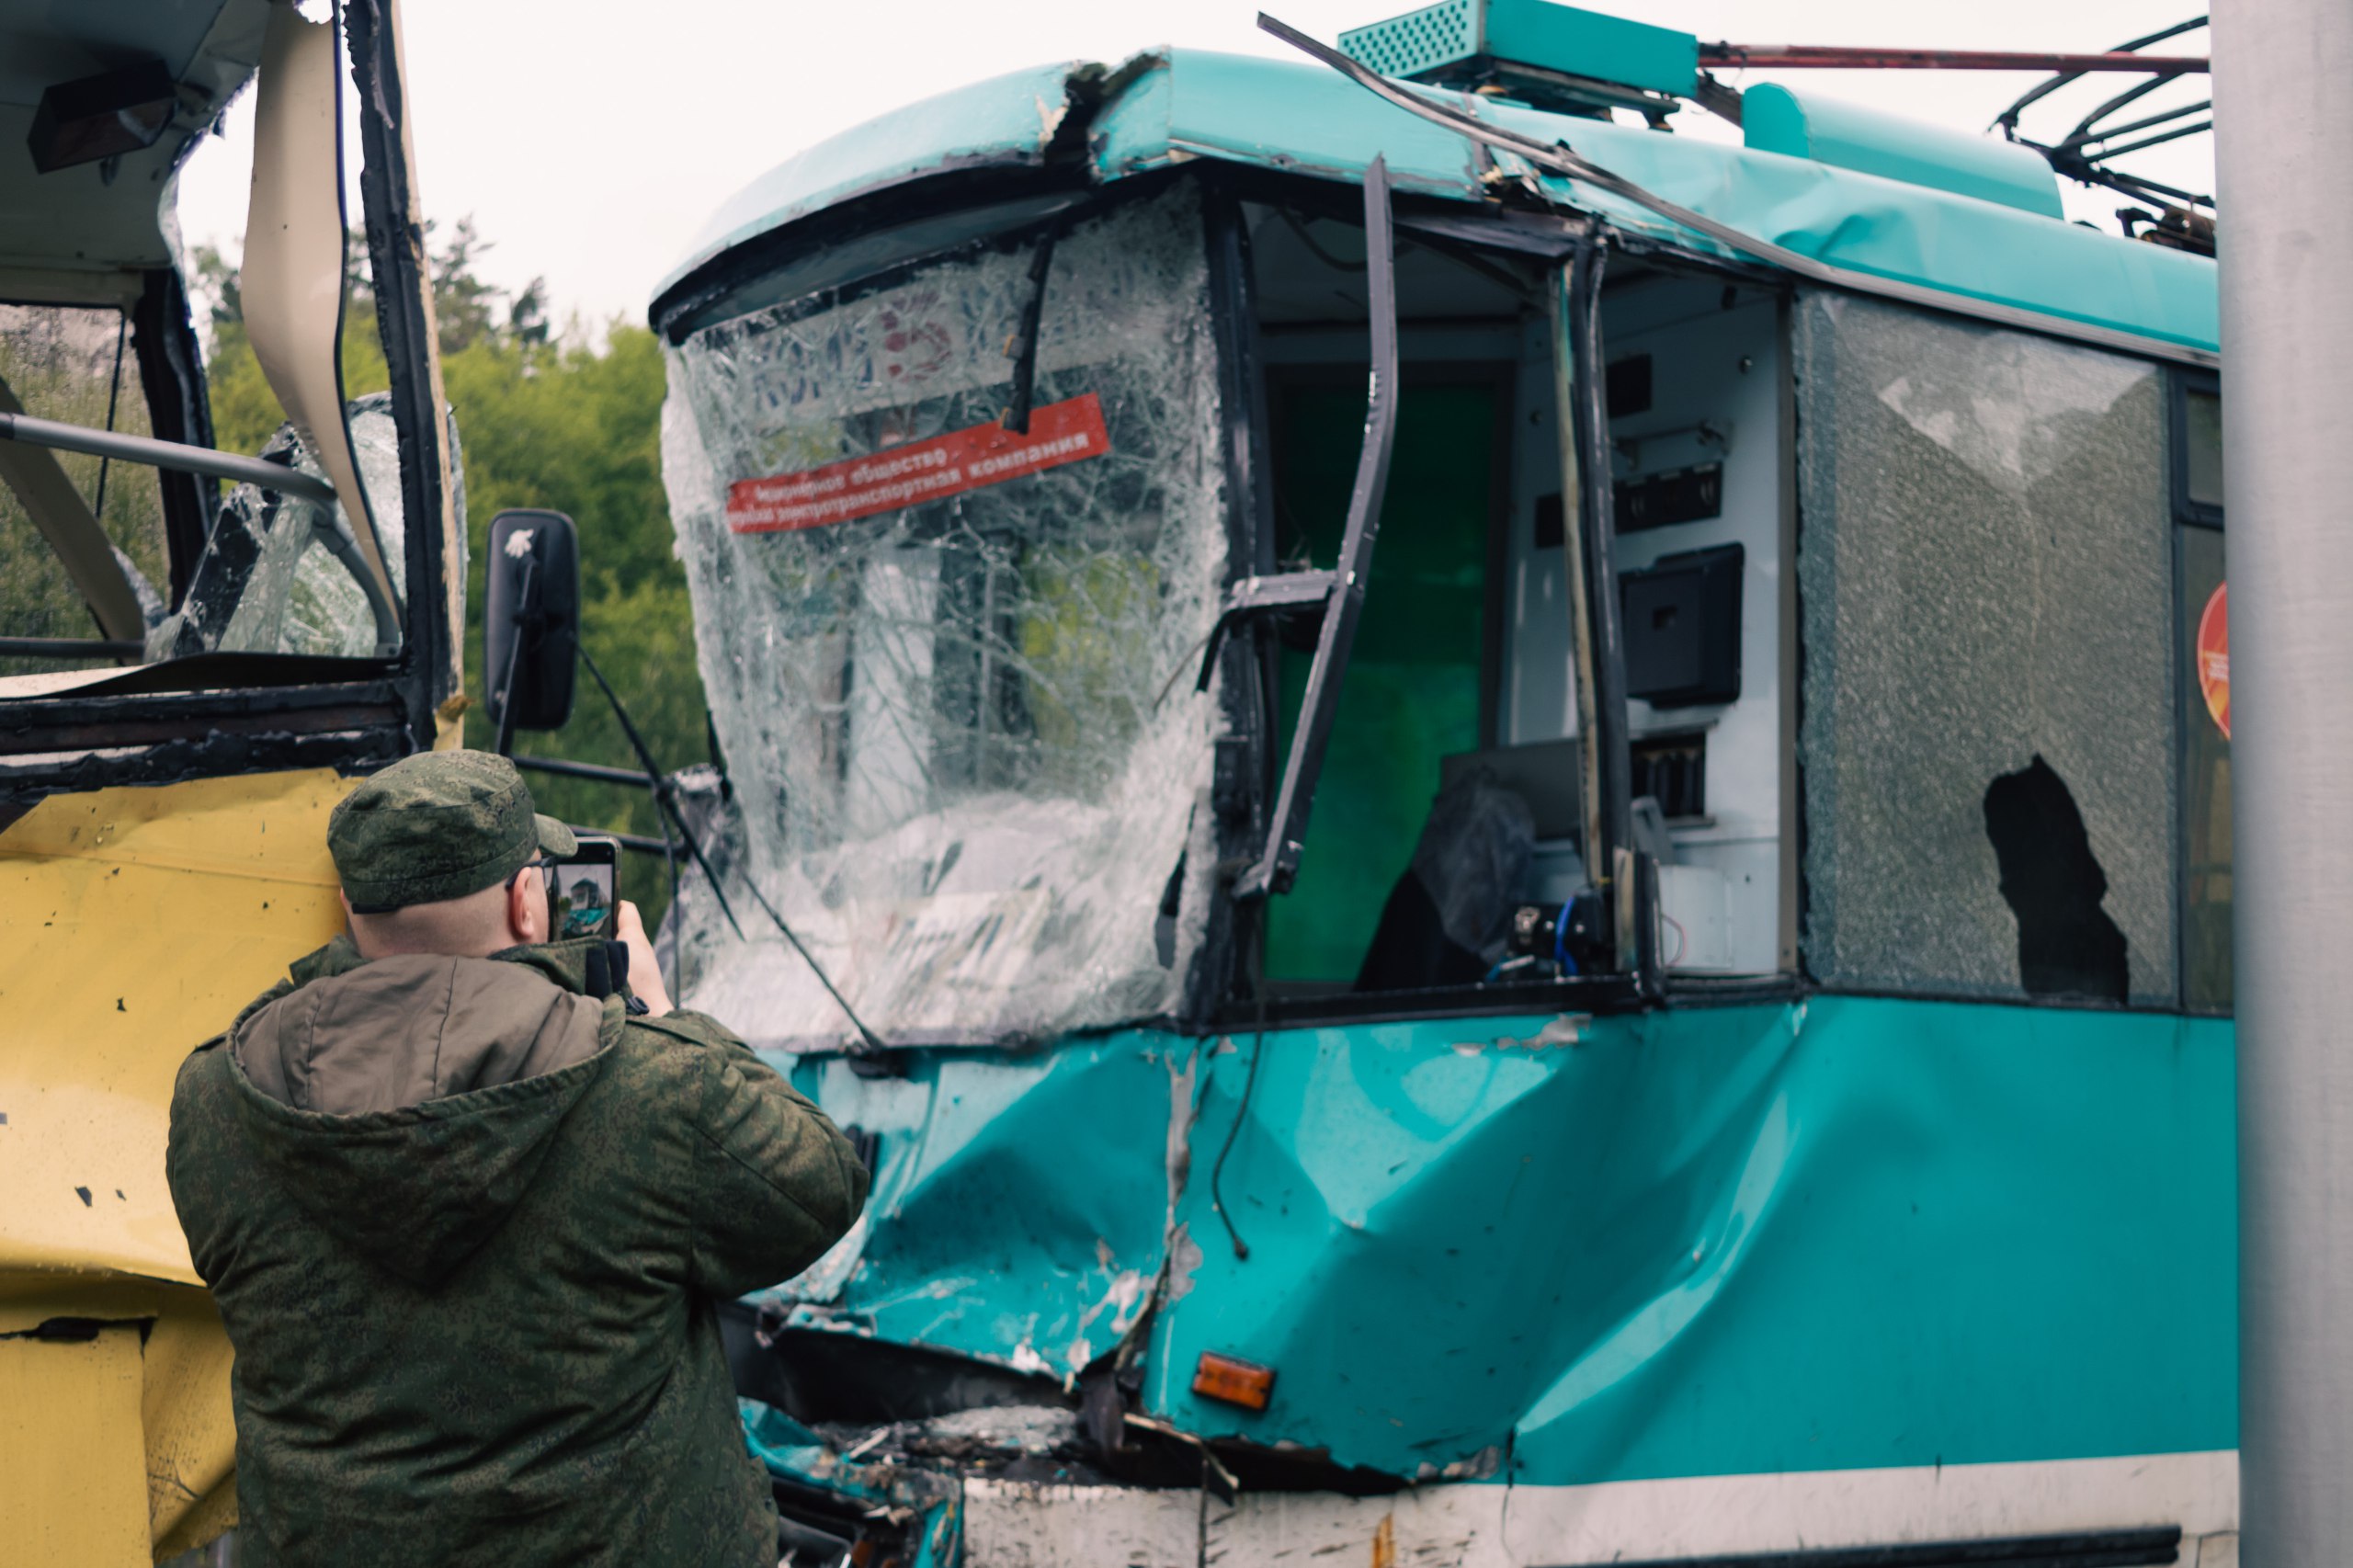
(1446, 844)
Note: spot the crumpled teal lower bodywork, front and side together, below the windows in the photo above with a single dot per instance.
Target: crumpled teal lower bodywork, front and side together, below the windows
(1778, 1237)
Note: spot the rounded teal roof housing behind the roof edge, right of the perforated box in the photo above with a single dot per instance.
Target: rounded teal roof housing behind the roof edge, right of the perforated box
(1780, 121)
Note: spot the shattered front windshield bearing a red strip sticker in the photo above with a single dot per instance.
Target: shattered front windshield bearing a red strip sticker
(954, 684)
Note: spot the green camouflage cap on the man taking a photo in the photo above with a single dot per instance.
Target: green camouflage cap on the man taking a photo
(436, 828)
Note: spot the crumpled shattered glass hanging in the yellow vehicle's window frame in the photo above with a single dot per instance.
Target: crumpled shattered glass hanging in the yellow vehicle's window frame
(267, 580)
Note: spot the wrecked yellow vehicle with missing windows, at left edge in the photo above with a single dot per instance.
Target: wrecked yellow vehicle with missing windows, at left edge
(199, 656)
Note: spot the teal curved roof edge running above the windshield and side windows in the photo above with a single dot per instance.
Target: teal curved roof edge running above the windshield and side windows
(1305, 119)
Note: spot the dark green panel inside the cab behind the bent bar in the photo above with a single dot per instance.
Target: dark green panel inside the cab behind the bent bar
(1413, 684)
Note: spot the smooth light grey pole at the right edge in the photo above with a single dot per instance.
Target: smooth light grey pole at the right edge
(2284, 114)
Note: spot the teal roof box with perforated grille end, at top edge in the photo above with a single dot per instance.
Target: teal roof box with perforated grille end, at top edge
(1549, 55)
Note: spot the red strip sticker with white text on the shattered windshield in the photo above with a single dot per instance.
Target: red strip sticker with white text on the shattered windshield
(919, 472)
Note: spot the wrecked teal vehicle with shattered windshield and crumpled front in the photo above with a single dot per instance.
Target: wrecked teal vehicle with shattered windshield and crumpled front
(1507, 832)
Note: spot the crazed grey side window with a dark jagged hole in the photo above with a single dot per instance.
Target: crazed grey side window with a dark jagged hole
(1987, 580)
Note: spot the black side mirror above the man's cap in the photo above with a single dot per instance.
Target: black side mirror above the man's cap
(531, 623)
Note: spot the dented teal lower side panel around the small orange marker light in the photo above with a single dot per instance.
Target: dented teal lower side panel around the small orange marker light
(1721, 1242)
